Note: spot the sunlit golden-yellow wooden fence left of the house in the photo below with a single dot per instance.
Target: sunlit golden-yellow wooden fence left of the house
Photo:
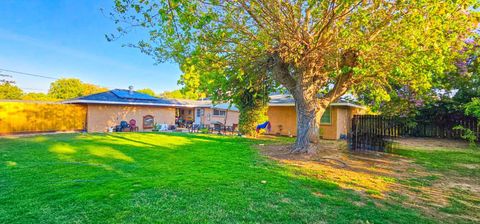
(32, 117)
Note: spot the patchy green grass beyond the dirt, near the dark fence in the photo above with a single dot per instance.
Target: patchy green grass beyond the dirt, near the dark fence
(456, 165)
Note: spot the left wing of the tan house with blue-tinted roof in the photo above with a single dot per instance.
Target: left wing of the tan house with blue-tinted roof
(108, 109)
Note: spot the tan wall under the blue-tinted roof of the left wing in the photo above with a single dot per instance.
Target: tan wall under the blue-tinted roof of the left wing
(101, 117)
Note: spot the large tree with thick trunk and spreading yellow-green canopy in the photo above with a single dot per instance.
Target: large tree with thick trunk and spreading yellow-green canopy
(319, 49)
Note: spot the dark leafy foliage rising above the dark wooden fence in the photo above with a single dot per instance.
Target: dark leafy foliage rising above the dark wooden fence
(450, 94)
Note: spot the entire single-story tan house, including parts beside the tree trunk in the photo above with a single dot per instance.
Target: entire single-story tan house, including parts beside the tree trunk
(108, 109)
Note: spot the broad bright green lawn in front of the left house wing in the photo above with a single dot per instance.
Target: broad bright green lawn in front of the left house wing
(170, 178)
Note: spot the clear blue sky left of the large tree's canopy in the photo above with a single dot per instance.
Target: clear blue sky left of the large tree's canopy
(65, 38)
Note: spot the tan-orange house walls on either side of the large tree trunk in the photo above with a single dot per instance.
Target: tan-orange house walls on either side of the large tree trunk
(286, 116)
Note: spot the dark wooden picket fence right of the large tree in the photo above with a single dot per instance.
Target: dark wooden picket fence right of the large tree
(374, 132)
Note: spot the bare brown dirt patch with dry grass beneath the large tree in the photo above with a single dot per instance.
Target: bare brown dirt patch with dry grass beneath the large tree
(380, 175)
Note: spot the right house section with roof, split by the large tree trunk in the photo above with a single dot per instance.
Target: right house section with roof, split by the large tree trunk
(336, 120)
